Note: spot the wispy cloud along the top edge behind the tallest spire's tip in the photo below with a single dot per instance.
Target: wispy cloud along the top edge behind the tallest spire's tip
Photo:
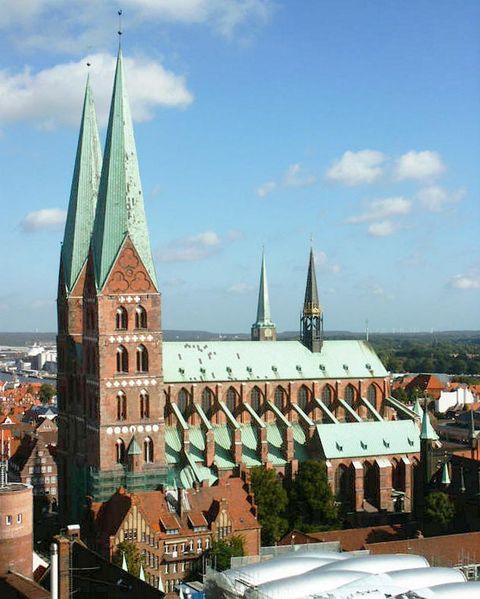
(56, 25)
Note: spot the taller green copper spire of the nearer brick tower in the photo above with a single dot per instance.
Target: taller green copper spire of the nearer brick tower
(120, 212)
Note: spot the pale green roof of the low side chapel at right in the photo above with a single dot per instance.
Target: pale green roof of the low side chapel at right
(363, 439)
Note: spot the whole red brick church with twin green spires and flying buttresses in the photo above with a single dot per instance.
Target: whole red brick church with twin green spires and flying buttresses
(137, 412)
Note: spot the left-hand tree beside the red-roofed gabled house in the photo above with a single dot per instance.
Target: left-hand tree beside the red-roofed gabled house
(271, 499)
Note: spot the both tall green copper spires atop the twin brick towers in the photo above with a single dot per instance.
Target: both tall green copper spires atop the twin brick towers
(106, 202)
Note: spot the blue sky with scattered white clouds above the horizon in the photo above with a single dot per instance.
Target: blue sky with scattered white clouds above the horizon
(351, 125)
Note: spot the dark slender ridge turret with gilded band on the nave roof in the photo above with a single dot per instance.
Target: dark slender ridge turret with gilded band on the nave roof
(311, 319)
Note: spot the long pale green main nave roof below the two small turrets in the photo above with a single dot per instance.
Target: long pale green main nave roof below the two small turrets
(216, 361)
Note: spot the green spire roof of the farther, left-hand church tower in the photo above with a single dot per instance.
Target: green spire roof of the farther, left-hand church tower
(83, 195)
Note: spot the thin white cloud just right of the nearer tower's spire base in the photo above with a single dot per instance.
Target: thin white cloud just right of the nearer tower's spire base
(193, 248)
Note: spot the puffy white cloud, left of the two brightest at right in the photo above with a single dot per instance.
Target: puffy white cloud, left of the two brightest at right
(355, 168)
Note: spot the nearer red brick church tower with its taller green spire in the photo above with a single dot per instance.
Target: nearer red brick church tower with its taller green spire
(121, 440)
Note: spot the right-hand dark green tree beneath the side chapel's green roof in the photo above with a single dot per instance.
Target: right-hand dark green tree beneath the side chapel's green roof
(312, 504)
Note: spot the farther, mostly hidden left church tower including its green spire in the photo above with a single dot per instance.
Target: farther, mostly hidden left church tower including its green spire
(73, 263)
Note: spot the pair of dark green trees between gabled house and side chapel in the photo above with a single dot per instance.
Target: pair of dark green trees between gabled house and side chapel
(308, 504)
